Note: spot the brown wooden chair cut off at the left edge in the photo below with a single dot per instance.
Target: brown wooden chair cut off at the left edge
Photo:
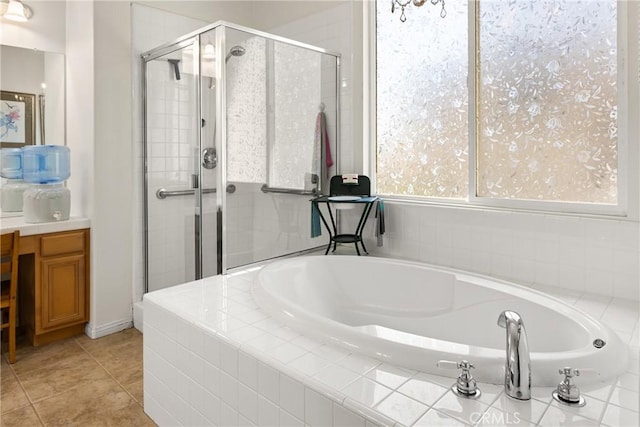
(9, 252)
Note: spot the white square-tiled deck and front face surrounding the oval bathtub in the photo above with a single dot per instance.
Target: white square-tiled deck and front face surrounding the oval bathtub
(213, 357)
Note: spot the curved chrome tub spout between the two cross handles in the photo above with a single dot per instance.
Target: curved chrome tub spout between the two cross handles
(517, 376)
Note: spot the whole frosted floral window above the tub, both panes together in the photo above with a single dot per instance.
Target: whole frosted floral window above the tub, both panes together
(545, 105)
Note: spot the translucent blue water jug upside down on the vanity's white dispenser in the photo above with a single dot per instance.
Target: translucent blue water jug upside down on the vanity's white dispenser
(42, 164)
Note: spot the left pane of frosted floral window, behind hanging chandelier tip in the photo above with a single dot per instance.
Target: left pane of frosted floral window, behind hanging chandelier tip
(422, 102)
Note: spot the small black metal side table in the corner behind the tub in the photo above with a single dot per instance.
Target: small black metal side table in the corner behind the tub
(356, 237)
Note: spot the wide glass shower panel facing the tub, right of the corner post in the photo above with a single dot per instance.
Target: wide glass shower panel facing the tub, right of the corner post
(276, 95)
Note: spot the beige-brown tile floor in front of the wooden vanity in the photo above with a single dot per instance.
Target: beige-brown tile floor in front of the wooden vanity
(75, 382)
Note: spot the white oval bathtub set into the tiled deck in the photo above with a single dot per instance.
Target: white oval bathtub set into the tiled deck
(413, 315)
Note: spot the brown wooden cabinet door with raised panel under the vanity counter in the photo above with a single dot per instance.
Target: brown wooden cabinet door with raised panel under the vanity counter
(63, 296)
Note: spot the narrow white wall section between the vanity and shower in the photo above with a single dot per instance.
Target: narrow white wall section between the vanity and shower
(112, 170)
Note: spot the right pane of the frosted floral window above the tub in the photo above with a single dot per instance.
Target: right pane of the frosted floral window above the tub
(547, 110)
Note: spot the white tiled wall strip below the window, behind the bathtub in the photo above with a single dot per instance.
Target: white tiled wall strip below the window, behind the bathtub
(598, 256)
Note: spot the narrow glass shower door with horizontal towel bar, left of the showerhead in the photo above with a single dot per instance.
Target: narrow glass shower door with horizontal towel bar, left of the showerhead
(172, 178)
